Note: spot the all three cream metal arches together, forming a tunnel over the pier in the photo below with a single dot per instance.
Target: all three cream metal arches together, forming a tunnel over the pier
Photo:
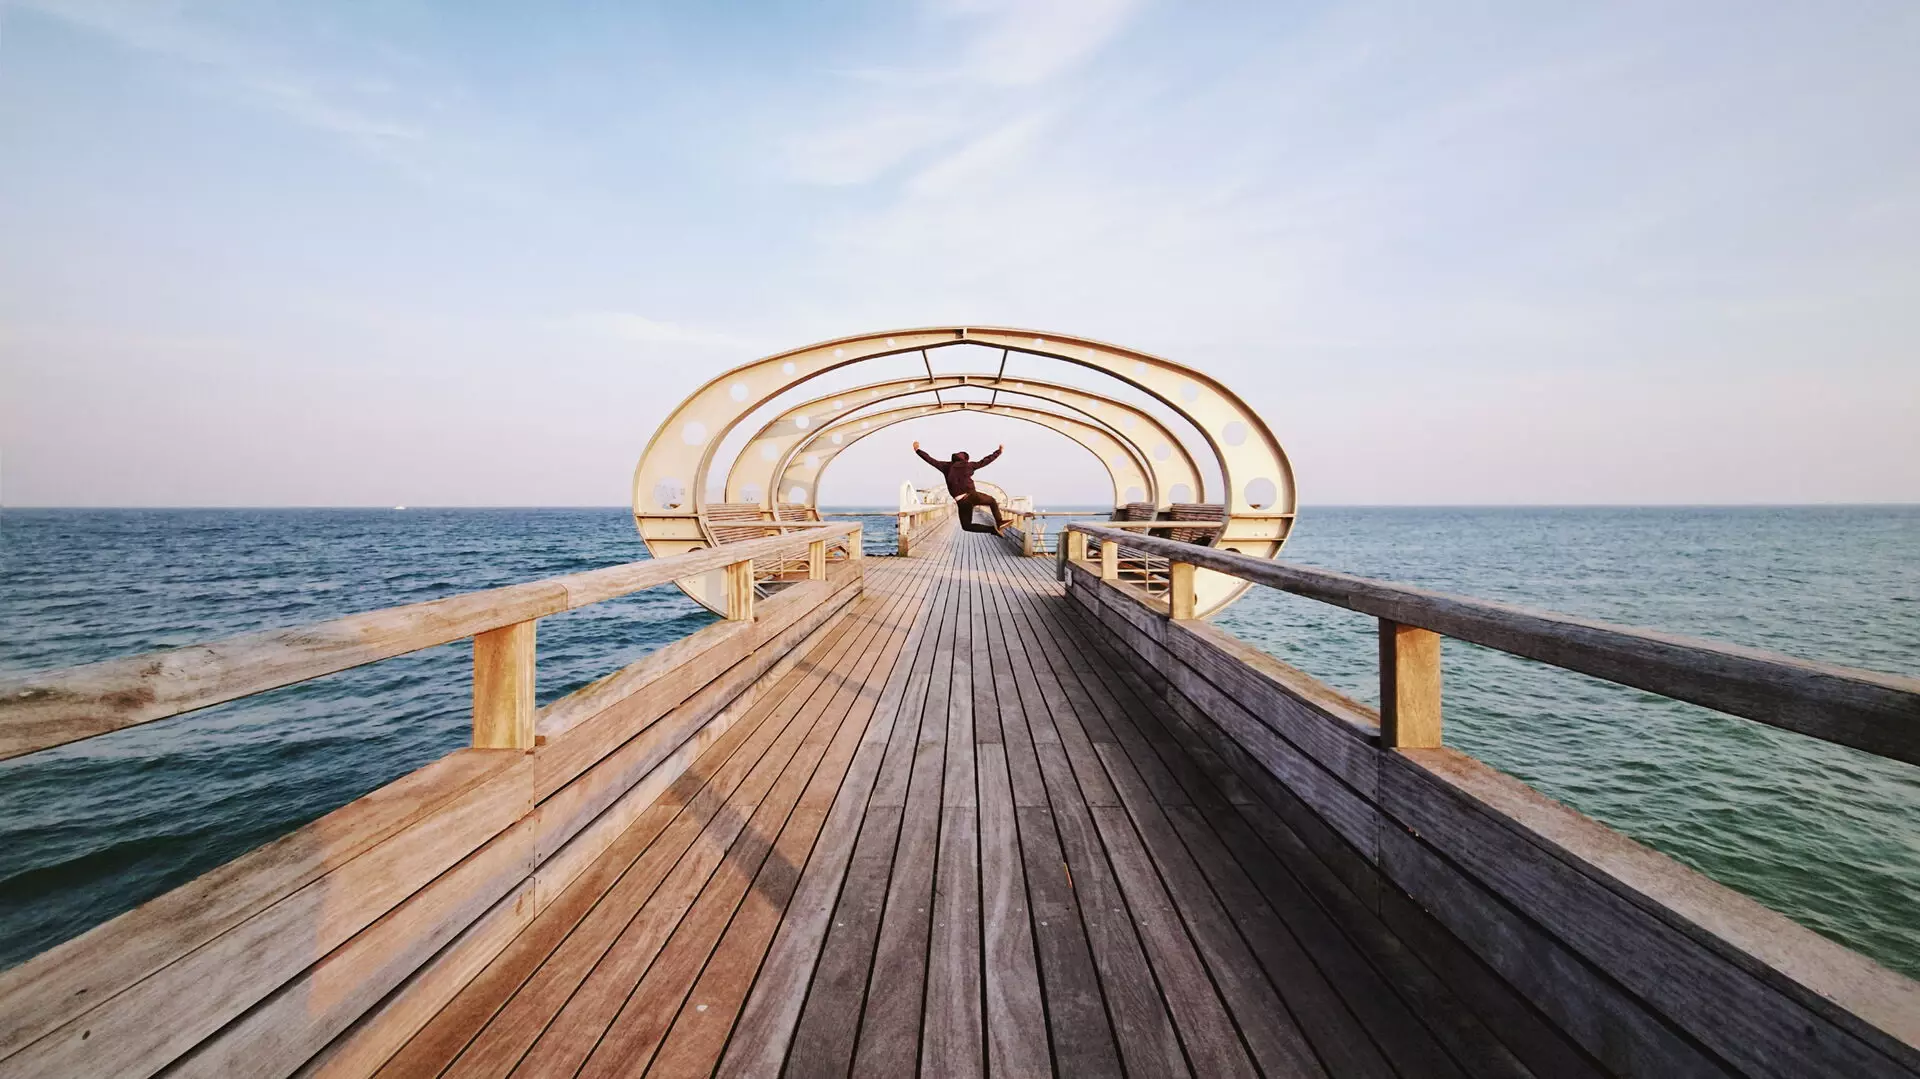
(775, 479)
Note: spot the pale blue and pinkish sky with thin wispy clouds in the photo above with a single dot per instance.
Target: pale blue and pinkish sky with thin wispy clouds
(279, 252)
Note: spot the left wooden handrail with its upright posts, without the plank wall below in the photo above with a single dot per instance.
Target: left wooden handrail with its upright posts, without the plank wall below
(41, 711)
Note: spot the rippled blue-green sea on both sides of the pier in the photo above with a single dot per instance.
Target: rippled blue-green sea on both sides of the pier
(1823, 834)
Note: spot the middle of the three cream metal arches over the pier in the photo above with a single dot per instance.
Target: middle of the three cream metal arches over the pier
(765, 464)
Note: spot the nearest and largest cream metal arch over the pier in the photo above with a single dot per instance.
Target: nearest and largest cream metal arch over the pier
(671, 479)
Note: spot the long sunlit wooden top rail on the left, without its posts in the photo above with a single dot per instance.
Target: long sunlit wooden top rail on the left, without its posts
(55, 707)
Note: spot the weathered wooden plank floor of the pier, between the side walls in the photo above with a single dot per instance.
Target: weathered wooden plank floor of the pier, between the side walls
(969, 836)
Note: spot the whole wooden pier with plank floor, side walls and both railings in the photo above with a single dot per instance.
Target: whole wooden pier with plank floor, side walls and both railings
(946, 815)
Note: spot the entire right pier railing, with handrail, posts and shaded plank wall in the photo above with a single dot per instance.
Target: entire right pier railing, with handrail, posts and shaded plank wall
(1644, 963)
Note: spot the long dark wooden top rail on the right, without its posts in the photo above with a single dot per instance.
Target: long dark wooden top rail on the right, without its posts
(1861, 709)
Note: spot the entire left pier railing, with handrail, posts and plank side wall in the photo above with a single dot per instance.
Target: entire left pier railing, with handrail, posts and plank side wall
(329, 947)
